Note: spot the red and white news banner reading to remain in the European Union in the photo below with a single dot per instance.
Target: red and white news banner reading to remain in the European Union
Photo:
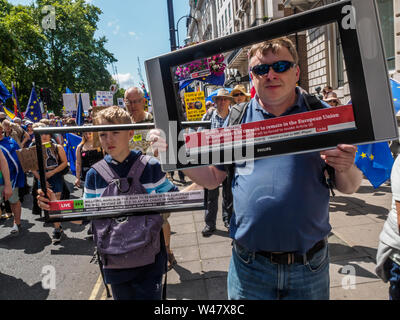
(280, 128)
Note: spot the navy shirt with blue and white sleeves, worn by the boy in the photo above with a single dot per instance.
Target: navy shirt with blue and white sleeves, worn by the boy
(154, 181)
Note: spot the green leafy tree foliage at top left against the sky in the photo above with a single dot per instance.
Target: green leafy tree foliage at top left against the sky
(67, 56)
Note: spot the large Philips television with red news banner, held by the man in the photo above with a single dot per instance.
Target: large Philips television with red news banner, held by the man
(364, 115)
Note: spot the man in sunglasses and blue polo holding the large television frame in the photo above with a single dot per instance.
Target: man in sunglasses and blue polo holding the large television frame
(280, 222)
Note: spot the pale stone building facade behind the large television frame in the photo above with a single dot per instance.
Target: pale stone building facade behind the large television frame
(321, 57)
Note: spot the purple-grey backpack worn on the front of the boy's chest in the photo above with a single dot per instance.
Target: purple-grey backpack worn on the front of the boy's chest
(126, 242)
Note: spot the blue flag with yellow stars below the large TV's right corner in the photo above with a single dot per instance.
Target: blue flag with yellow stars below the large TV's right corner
(375, 161)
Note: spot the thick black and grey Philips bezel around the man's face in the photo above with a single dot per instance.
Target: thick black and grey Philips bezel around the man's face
(365, 65)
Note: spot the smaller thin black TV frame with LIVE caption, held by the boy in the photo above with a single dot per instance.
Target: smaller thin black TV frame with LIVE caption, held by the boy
(105, 207)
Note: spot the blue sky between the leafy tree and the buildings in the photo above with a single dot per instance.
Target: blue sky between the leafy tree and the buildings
(135, 28)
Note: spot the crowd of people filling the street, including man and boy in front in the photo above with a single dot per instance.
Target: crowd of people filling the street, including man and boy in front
(277, 213)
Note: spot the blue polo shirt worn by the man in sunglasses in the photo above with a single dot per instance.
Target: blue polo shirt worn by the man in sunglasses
(280, 203)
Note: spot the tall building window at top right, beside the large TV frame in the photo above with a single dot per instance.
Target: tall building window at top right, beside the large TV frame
(386, 17)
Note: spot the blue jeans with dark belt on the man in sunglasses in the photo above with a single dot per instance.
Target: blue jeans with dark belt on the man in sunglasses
(254, 277)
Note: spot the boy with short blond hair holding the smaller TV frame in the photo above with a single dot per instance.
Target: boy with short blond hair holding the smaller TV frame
(144, 282)
